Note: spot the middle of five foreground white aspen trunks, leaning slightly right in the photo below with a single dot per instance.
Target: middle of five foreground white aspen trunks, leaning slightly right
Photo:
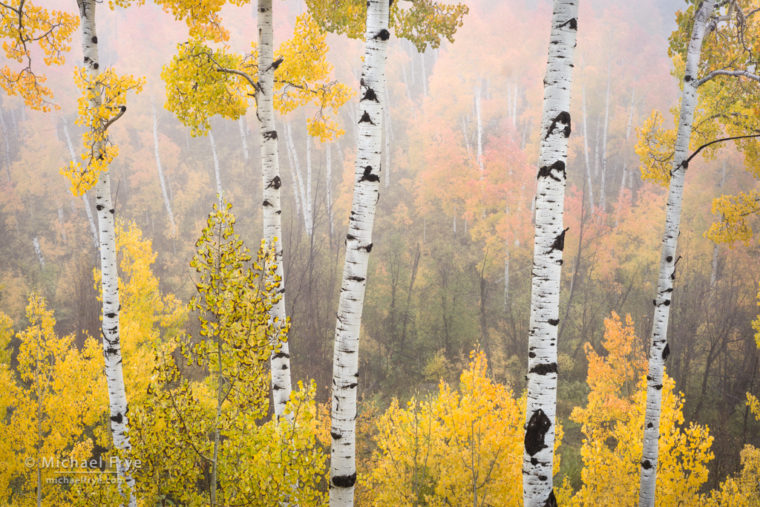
(358, 247)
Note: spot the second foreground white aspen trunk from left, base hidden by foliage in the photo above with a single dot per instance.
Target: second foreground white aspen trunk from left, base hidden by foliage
(270, 170)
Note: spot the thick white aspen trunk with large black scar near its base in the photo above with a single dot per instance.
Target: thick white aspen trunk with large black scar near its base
(549, 242)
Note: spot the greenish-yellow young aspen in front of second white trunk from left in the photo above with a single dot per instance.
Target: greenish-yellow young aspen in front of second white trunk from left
(204, 421)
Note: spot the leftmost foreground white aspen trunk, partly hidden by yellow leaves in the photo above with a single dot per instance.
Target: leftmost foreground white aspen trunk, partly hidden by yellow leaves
(117, 395)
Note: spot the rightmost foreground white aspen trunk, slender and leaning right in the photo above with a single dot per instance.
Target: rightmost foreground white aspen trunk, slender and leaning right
(658, 345)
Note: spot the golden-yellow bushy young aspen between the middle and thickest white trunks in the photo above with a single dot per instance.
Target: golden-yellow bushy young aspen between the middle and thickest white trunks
(459, 447)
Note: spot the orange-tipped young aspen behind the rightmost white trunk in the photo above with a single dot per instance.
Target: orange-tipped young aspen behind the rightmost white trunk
(611, 425)
